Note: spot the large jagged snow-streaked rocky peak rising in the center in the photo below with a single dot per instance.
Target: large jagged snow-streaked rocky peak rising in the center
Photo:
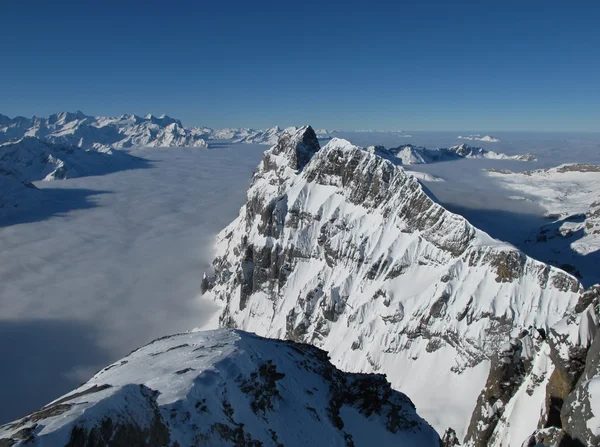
(340, 248)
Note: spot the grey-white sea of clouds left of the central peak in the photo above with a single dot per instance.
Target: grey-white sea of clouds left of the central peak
(120, 265)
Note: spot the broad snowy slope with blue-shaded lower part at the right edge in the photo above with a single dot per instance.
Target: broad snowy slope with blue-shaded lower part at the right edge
(570, 194)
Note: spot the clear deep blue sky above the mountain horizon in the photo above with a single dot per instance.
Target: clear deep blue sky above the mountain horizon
(423, 65)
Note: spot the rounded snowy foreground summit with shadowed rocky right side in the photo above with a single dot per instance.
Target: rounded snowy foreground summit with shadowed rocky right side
(224, 388)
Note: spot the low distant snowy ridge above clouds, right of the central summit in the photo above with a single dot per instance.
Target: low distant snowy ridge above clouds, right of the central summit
(410, 154)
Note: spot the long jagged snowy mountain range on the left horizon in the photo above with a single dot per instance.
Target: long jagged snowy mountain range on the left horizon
(101, 133)
